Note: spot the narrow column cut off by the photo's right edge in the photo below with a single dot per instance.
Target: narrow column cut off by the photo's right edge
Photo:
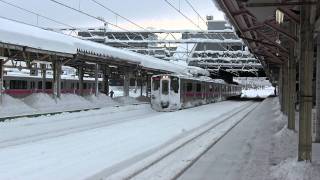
(317, 125)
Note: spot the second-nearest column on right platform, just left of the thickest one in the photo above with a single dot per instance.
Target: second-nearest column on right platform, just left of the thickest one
(292, 83)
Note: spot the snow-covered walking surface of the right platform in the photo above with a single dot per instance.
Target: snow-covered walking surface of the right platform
(251, 150)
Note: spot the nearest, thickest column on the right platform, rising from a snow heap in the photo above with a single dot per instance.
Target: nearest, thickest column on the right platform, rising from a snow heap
(305, 81)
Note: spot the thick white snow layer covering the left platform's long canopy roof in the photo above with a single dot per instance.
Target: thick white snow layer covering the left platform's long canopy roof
(12, 32)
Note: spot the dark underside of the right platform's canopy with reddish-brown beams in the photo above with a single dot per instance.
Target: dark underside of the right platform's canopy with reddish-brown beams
(264, 27)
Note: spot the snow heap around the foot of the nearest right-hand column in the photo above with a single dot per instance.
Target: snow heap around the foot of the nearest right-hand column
(291, 169)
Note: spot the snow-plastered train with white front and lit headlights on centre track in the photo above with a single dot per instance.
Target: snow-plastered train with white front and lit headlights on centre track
(173, 92)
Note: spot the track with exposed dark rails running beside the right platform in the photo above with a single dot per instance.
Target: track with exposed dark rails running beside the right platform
(139, 171)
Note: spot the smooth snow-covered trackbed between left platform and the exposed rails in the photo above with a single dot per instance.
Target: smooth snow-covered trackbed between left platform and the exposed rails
(95, 143)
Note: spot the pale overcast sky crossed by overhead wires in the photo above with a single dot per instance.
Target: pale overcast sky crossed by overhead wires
(147, 13)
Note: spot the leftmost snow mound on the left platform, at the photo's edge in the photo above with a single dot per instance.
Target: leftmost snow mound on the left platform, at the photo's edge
(11, 106)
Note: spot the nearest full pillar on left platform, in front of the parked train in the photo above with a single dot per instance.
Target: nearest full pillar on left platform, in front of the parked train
(57, 68)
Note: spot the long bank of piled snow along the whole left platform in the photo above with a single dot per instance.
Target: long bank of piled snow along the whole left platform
(40, 103)
